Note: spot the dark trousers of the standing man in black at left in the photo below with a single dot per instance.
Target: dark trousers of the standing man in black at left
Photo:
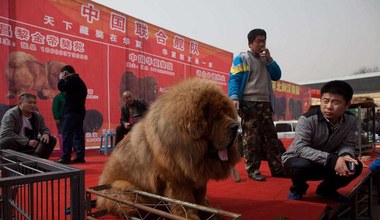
(73, 135)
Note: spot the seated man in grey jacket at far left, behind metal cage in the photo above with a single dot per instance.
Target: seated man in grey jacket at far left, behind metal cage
(23, 129)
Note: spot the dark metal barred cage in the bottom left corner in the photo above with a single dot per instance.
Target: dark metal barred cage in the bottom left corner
(35, 188)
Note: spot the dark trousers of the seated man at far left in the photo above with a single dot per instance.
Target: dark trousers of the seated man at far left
(43, 150)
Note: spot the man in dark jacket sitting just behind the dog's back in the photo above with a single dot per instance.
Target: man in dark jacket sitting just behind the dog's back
(131, 112)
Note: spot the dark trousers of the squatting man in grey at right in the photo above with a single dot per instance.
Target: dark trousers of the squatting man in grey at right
(302, 170)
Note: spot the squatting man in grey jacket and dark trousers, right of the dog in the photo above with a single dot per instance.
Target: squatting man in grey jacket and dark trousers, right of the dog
(324, 145)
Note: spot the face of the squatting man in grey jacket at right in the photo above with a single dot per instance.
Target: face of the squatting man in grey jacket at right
(333, 106)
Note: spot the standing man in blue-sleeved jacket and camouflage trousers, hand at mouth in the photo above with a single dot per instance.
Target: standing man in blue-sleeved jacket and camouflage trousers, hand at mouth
(250, 88)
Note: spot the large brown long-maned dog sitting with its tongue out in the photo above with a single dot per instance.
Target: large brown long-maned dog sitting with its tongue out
(186, 138)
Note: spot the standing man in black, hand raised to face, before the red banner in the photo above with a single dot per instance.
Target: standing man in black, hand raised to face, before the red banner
(74, 111)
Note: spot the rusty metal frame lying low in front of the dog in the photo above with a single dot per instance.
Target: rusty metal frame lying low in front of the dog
(155, 210)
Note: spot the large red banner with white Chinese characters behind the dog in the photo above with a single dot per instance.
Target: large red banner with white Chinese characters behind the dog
(111, 51)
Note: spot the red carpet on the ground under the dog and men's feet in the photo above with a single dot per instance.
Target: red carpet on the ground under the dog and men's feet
(252, 199)
